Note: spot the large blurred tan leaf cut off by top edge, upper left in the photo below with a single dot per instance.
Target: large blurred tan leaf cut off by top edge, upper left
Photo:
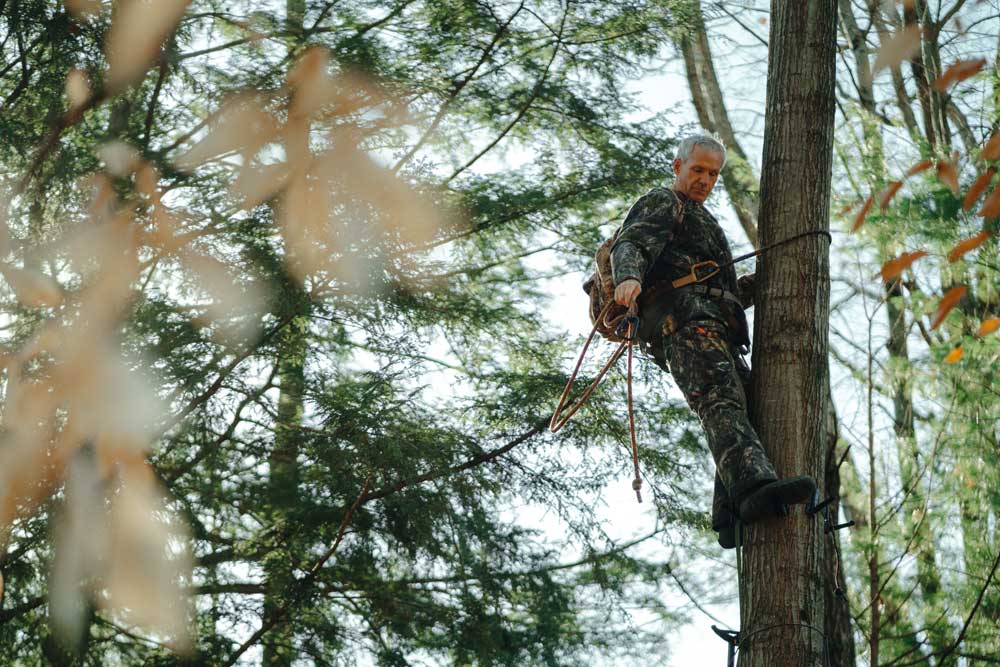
(137, 31)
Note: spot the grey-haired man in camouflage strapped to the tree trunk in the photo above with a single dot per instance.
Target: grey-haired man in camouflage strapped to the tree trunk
(699, 331)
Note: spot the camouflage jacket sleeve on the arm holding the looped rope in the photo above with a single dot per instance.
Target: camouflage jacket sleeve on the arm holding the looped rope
(646, 229)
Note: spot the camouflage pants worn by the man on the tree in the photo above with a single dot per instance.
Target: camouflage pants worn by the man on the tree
(704, 365)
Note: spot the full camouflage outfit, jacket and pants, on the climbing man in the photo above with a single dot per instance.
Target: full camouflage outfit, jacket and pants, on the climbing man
(696, 336)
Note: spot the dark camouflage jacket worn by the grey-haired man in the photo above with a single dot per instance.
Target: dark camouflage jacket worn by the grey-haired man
(663, 236)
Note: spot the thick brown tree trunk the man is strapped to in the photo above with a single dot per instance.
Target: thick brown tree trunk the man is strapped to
(782, 601)
